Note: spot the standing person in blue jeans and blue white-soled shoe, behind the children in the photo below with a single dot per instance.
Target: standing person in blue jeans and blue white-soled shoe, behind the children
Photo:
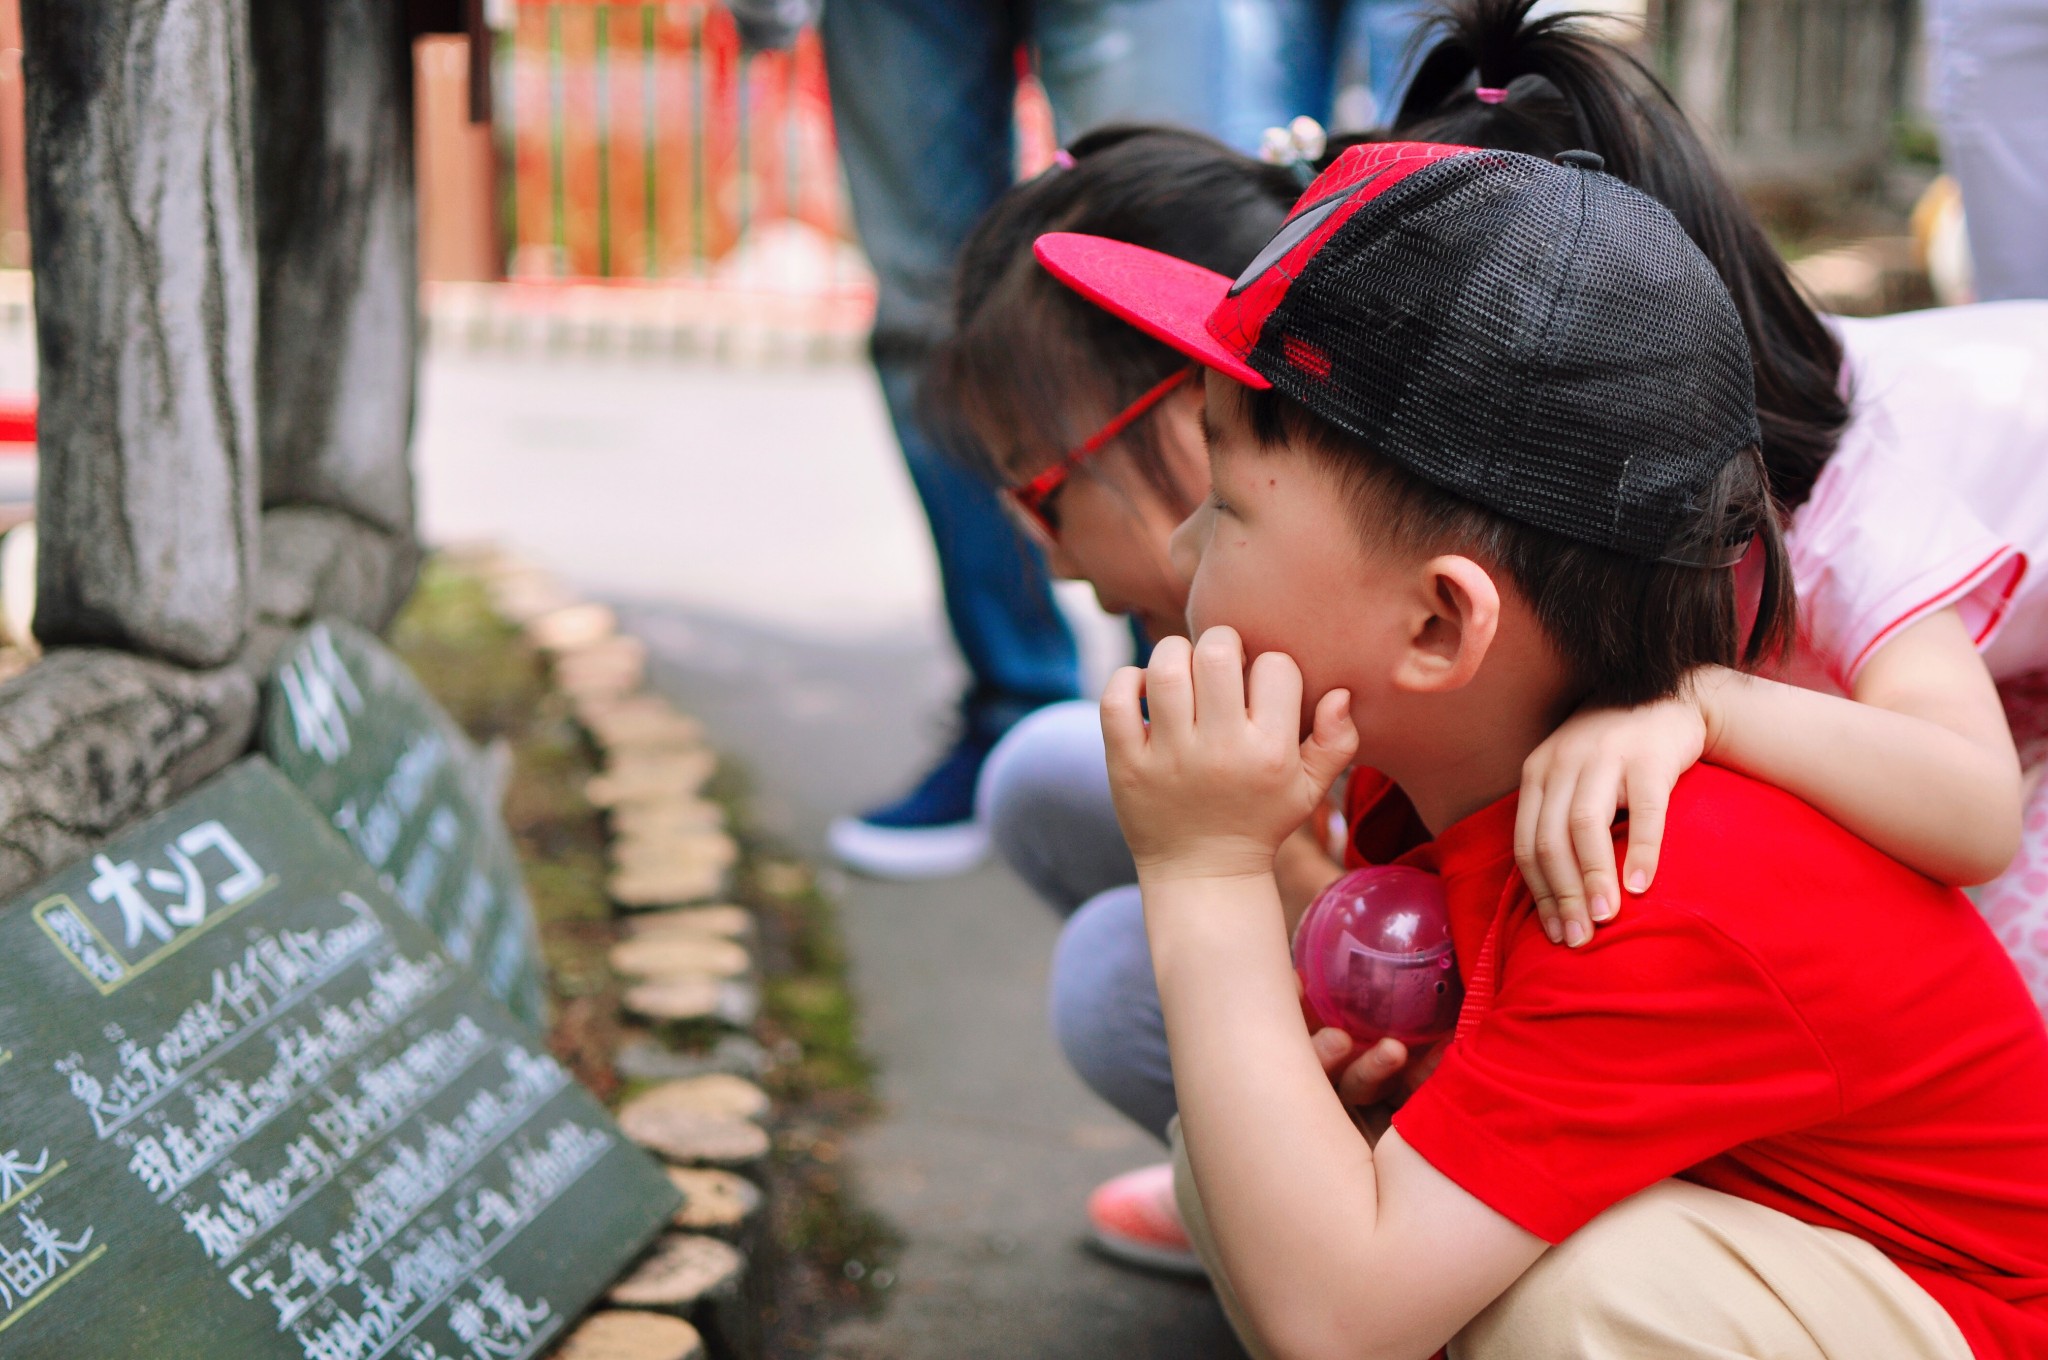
(923, 97)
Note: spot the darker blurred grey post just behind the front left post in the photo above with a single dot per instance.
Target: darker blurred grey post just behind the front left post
(339, 255)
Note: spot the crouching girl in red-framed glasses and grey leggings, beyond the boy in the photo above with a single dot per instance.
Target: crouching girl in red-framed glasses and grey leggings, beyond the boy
(1093, 429)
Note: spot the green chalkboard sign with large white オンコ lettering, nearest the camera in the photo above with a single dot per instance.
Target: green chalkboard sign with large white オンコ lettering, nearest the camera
(251, 1109)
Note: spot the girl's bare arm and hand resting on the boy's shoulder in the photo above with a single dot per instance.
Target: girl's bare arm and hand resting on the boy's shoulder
(1918, 763)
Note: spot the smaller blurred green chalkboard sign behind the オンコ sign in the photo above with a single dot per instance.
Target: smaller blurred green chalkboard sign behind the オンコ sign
(349, 724)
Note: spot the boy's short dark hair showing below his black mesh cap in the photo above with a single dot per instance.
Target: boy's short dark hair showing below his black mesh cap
(1629, 632)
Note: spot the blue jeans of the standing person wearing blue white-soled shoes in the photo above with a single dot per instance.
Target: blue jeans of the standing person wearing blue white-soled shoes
(923, 97)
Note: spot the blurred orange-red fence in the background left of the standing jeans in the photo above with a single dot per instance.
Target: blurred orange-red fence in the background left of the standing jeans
(646, 146)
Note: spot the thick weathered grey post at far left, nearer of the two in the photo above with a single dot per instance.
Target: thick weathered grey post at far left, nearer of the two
(146, 316)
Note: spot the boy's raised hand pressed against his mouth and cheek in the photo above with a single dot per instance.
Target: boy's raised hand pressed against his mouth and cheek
(1220, 775)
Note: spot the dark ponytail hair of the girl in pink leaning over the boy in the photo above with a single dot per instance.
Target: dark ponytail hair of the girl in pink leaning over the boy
(1570, 89)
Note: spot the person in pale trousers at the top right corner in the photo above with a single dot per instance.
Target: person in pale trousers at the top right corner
(1990, 85)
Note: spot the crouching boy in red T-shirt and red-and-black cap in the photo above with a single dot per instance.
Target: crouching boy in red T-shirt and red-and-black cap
(1484, 450)
